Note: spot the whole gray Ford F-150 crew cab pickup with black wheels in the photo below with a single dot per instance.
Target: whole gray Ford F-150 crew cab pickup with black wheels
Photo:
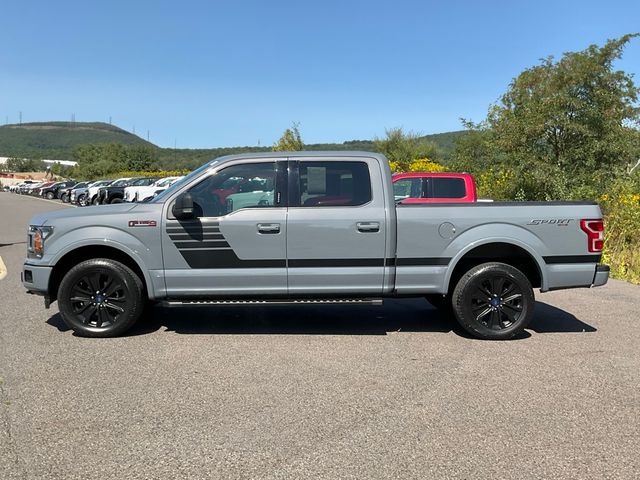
(312, 227)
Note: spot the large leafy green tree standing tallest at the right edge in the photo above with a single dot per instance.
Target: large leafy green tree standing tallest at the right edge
(561, 123)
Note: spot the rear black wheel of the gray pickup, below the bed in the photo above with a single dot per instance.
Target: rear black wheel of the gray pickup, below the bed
(493, 301)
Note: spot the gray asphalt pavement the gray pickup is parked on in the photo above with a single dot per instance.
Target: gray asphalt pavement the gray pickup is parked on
(316, 392)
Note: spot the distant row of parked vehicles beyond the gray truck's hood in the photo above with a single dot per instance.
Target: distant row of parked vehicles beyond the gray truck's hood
(97, 192)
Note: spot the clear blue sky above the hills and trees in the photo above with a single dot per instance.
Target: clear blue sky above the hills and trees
(210, 74)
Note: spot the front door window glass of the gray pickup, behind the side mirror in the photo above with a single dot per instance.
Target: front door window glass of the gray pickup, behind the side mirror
(239, 186)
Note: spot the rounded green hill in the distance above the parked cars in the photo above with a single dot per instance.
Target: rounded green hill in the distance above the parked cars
(57, 139)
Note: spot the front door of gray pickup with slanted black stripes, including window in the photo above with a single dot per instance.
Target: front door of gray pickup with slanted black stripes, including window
(236, 242)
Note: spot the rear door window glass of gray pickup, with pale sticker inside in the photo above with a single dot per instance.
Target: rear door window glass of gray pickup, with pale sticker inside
(333, 184)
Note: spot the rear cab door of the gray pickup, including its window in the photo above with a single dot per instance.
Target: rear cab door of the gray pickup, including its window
(336, 227)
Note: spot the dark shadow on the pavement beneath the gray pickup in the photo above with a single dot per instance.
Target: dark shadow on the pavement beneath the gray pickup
(396, 316)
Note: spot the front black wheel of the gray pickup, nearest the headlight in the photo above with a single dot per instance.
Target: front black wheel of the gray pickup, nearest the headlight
(116, 307)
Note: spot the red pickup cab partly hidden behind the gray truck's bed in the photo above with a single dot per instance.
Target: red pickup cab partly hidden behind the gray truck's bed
(423, 187)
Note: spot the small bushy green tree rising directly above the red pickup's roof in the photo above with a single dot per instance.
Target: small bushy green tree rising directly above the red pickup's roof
(402, 148)
